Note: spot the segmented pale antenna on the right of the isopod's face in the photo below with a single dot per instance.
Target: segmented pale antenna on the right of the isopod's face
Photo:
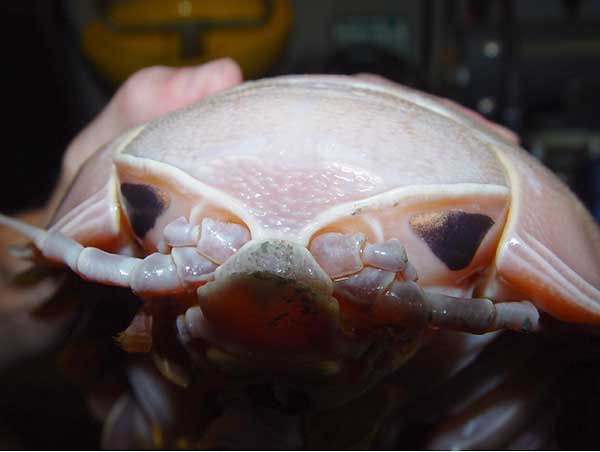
(380, 275)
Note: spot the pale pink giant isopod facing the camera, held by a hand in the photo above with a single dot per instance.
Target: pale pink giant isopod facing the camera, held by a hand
(304, 219)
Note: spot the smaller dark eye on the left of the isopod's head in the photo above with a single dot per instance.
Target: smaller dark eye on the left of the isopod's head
(143, 204)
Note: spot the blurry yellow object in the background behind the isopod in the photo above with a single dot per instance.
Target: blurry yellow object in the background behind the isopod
(138, 33)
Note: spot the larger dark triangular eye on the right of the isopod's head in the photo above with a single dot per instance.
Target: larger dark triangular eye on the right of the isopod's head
(452, 235)
